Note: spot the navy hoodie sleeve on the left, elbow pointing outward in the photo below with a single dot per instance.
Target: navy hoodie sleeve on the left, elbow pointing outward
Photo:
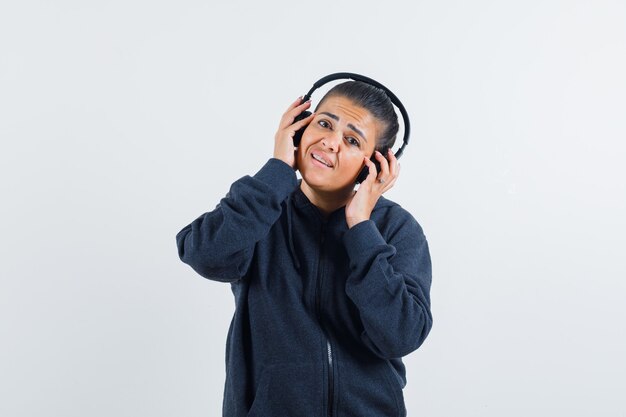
(219, 245)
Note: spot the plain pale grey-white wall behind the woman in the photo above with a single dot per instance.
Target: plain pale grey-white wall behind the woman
(122, 121)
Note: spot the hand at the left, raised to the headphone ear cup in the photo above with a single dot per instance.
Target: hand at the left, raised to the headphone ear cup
(284, 148)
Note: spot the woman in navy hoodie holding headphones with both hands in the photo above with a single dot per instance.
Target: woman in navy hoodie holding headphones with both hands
(331, 285)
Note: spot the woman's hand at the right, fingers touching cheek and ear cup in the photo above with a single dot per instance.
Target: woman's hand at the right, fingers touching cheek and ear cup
(360, 206)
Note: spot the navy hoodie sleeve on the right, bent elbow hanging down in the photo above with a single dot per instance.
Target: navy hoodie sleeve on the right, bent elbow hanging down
(389, 283)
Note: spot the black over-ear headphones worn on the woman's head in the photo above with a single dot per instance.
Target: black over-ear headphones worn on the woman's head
(356, 77)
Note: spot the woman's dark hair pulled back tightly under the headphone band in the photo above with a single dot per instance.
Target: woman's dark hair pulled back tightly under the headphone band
(376, 101)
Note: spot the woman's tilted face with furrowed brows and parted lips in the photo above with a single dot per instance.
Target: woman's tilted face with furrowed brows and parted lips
(341, 134)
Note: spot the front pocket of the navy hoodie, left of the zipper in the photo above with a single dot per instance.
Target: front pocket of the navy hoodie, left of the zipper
(290, 390)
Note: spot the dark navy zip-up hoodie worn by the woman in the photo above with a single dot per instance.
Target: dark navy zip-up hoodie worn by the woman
(323, 312)
